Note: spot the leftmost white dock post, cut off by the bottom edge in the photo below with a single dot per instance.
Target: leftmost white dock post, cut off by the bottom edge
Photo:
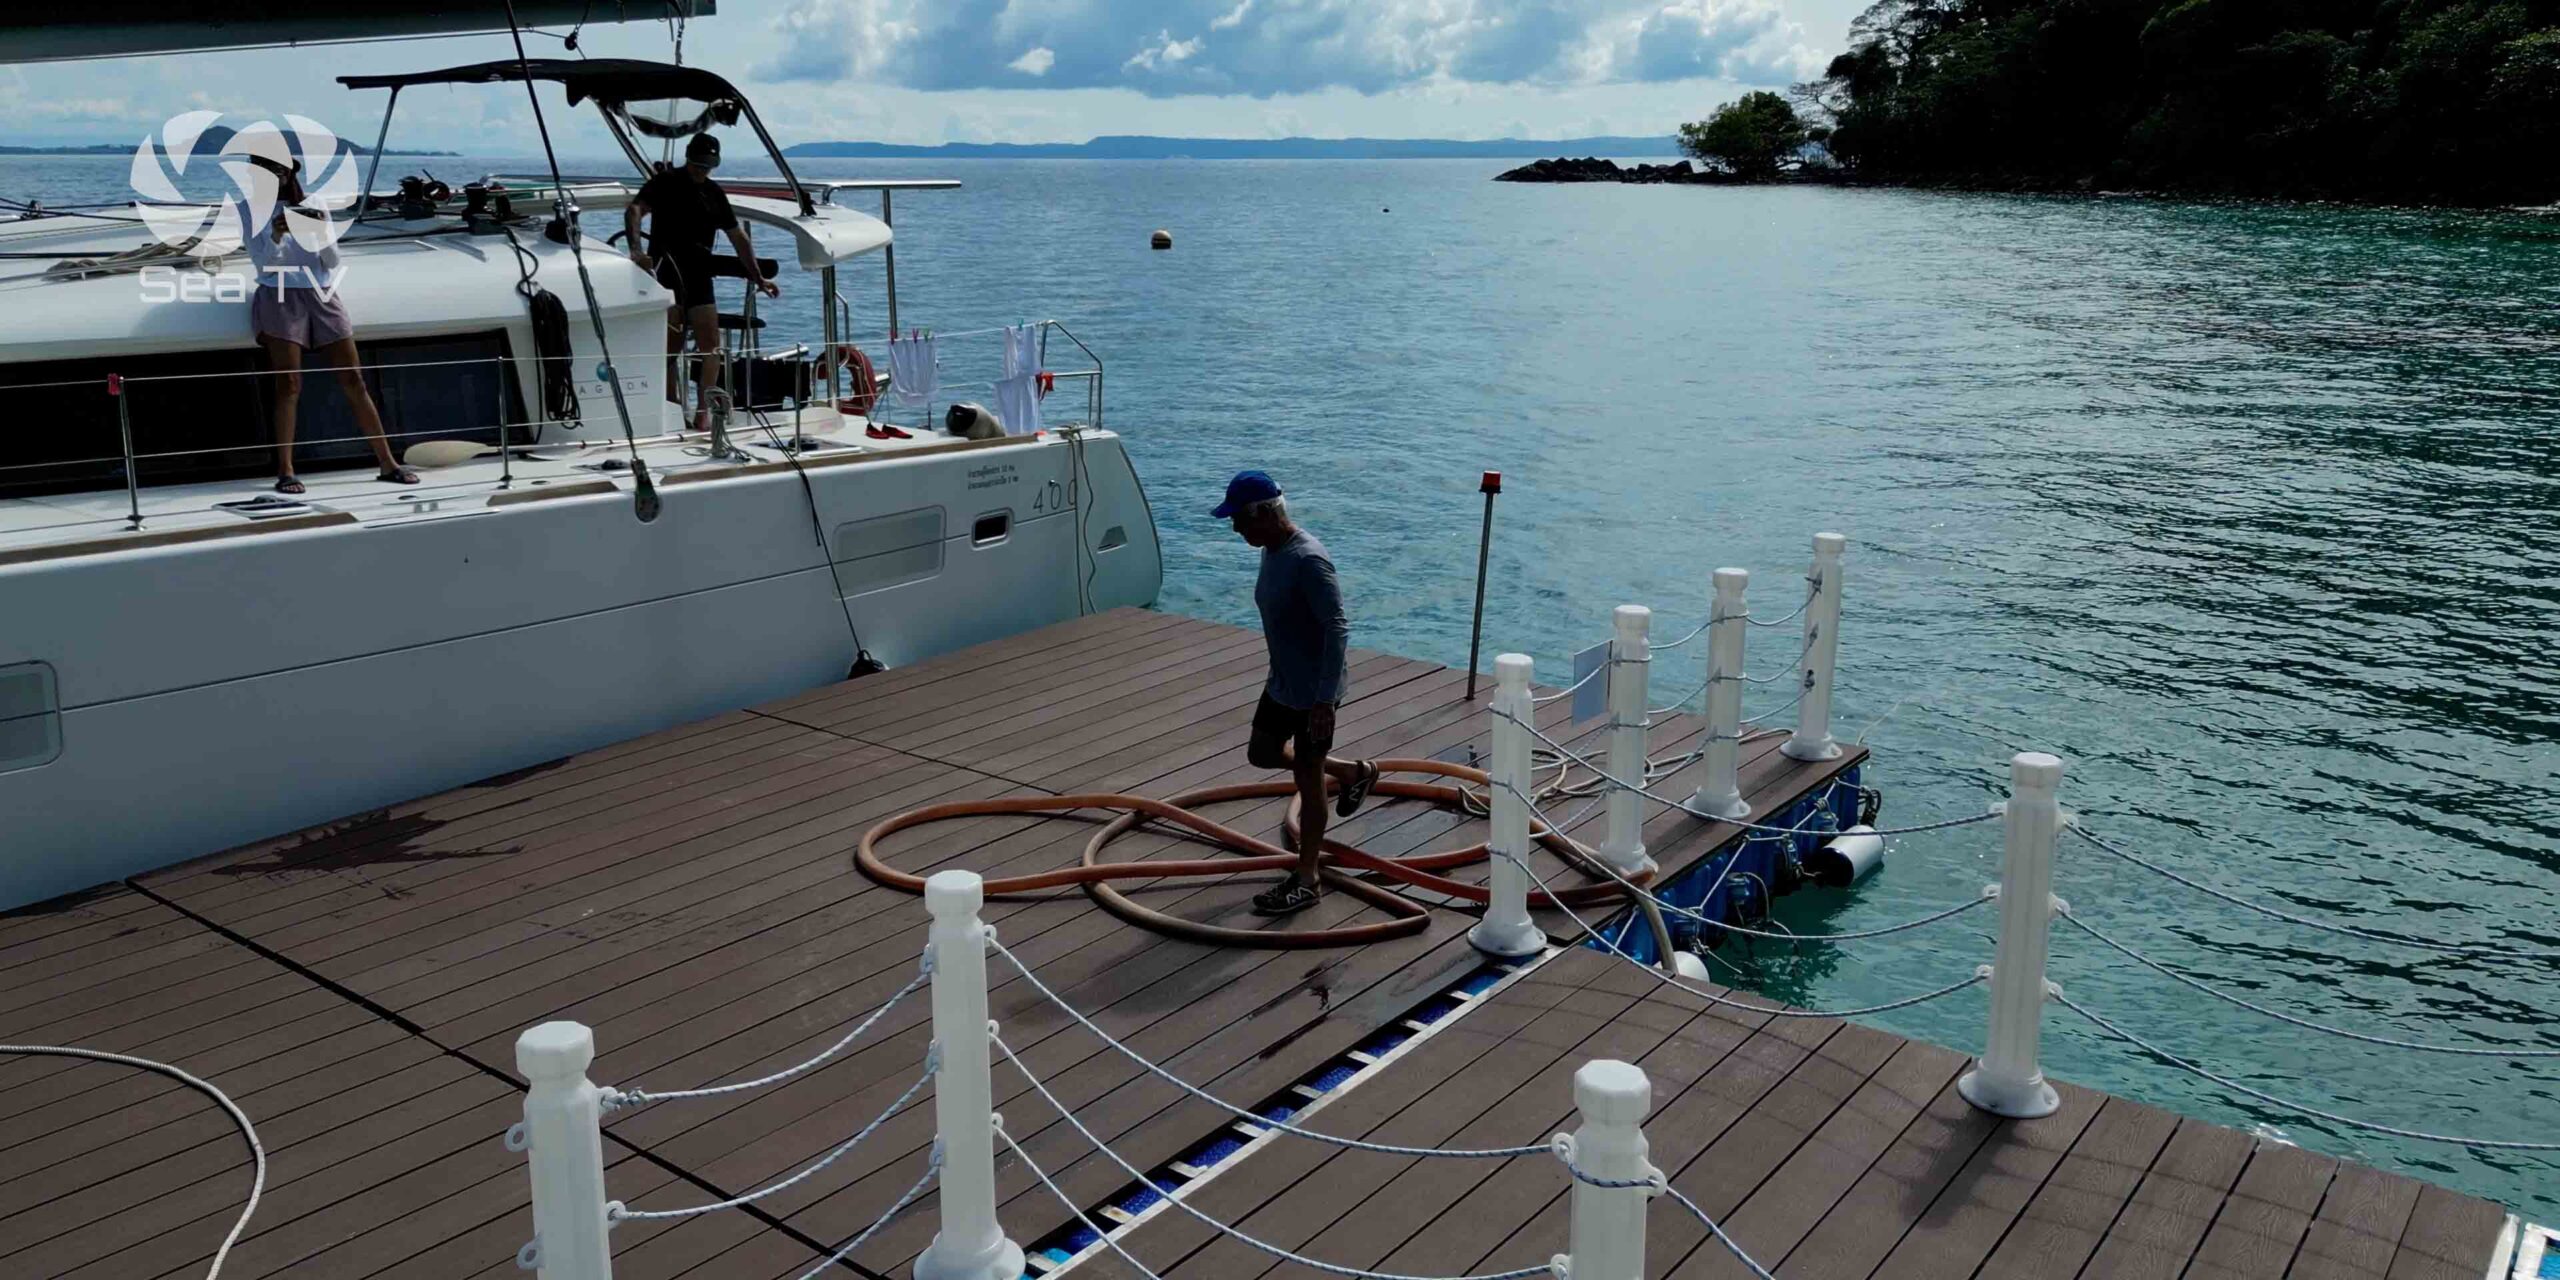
(564, 1148)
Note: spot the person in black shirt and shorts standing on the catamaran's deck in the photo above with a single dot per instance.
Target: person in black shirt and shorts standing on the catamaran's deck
(685, 209)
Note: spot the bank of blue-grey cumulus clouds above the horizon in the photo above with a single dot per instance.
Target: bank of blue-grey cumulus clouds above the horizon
(1284, 47)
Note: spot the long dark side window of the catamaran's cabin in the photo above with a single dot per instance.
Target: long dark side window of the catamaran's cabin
(204, 416)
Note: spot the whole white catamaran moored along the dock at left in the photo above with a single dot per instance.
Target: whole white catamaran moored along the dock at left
(191, 659)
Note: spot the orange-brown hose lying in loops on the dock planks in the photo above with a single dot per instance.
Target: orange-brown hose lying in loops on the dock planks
(1097, 877)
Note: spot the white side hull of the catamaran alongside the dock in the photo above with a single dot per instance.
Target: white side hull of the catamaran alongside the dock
(234, 690)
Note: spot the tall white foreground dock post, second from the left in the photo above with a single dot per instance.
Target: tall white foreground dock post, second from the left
(972, 1245)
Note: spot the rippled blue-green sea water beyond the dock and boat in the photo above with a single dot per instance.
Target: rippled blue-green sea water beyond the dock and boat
(2249, 513)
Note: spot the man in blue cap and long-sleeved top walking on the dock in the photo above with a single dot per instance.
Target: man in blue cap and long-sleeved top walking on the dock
(1307, 636)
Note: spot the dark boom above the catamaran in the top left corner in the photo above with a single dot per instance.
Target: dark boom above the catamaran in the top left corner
(96, 29)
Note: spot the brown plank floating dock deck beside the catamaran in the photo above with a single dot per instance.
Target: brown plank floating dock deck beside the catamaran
(690, 897)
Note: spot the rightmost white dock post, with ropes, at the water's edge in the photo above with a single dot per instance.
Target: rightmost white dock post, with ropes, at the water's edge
(2008, 1082)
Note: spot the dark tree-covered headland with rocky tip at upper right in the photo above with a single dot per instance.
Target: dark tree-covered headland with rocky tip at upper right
(2374, 101)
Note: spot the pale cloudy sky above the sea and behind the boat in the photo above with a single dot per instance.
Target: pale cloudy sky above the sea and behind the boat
(1038, 70)
